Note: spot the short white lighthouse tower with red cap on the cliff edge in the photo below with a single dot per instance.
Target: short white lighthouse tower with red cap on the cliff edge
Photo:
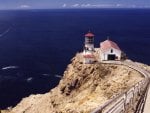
(88, 52)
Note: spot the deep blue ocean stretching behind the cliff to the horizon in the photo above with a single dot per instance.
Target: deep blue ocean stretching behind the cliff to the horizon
(43, 42)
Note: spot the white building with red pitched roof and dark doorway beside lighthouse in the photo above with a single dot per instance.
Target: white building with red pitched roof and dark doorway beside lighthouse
(109, 50)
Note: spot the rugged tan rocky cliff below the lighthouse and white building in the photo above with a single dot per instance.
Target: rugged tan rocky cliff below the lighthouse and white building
(82, 88)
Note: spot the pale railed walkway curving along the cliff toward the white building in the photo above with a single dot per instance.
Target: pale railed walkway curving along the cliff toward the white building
(126, 100)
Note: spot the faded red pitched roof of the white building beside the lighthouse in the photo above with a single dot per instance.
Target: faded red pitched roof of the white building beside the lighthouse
(107, 44)
